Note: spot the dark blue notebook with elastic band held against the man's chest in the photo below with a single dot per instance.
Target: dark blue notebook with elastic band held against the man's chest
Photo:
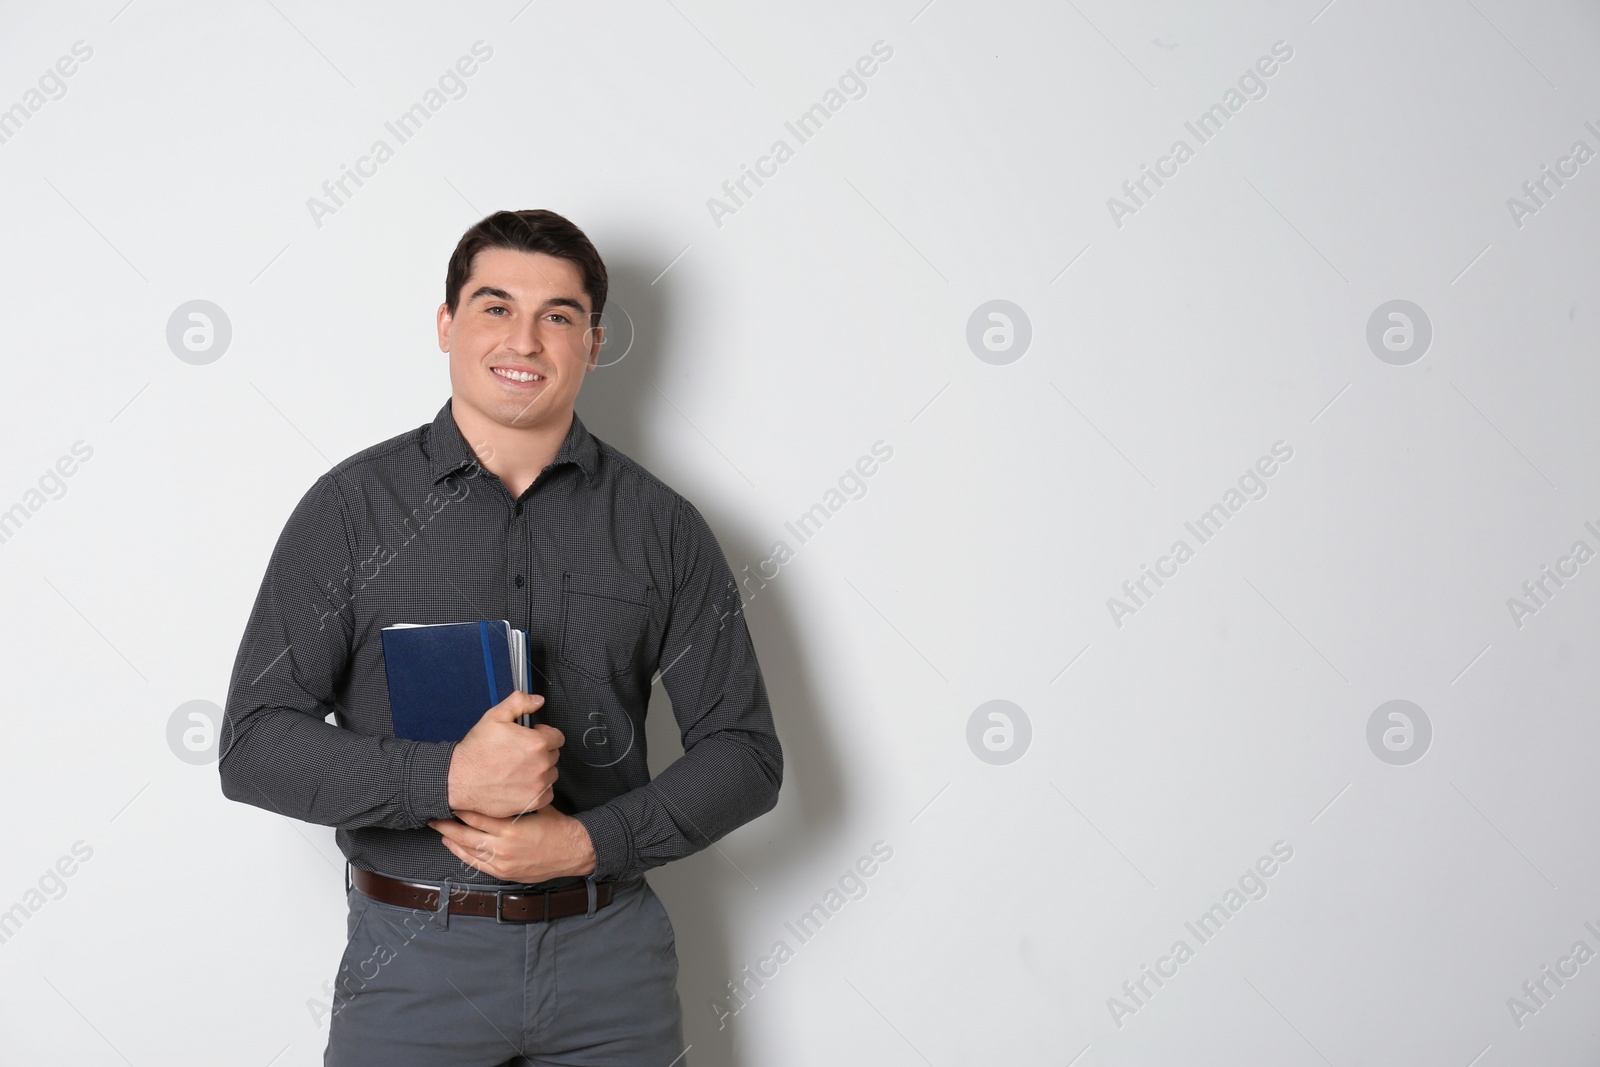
(444, 676)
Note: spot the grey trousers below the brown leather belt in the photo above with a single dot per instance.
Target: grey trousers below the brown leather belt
(460, 991)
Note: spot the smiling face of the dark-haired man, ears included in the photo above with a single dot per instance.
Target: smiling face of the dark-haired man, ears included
(519, 314)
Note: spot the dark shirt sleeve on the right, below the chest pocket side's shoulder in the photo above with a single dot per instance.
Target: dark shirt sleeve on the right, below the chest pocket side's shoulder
(732, 764)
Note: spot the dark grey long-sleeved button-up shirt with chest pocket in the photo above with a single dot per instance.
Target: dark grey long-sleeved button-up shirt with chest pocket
(614, 575)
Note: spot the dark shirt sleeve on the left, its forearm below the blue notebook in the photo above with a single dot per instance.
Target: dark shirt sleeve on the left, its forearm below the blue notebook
(276, 749)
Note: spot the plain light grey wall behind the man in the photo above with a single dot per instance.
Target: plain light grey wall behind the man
(1148, 756)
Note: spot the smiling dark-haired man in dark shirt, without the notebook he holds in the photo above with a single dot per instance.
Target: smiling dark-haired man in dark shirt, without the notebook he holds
(498, 913)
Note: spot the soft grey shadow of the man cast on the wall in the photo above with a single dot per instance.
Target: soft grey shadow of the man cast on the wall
(623, 404)
